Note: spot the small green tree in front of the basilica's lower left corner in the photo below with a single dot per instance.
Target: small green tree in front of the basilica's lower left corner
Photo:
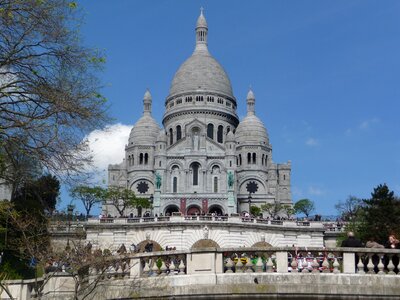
(123, 198)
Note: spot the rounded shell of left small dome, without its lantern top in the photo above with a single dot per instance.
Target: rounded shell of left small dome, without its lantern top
(145, 131)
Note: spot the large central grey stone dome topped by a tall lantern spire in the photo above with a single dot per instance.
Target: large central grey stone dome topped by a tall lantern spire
(201, 71)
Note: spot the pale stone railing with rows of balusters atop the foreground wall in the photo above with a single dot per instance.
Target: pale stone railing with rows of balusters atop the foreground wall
(272, 260)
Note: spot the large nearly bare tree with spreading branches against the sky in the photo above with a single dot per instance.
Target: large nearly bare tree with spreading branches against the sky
(49, 93)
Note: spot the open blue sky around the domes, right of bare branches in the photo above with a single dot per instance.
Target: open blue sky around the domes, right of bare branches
(326, 76)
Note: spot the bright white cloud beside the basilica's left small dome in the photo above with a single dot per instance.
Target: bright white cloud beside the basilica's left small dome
(108, 145)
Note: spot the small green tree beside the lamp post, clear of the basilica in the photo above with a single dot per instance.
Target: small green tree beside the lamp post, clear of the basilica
(89, 196)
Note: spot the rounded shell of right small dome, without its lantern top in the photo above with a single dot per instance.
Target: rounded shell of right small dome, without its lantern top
(251, 130)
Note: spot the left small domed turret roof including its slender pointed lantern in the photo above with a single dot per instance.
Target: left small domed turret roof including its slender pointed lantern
(146, 129)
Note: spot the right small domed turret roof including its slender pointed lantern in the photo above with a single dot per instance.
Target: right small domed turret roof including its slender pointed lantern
(251, 129)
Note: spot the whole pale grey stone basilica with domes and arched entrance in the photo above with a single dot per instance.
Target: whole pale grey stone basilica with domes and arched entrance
(203, 159)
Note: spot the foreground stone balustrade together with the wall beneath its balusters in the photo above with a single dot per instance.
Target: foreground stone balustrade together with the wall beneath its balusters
(349, 273)
